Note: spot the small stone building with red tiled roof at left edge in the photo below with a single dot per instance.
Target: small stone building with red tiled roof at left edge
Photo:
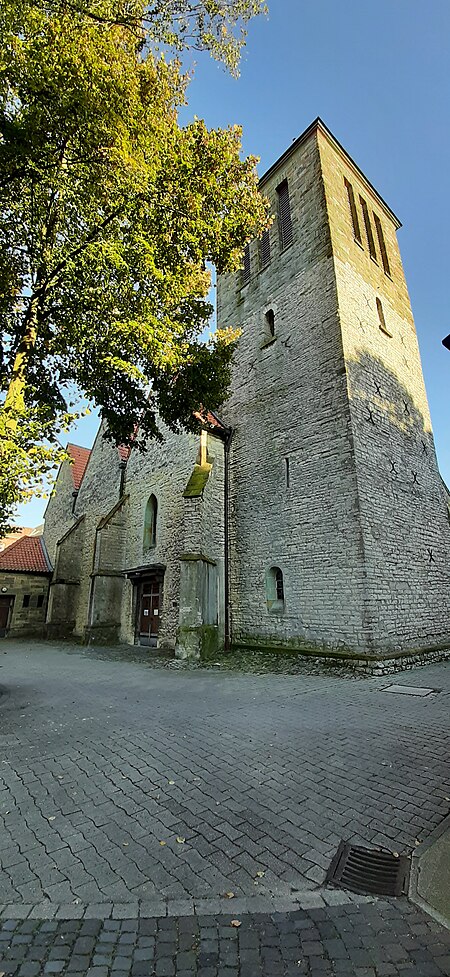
(25, 572)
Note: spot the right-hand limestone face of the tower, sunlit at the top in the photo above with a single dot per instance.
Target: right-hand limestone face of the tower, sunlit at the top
(404, 519)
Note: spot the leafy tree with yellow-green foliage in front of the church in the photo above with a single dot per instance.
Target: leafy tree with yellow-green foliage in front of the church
(110, 212)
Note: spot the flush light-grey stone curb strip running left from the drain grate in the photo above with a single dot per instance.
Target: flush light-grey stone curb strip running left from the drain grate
(317, 899)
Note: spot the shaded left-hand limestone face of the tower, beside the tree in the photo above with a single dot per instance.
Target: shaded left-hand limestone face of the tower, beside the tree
(294, 493)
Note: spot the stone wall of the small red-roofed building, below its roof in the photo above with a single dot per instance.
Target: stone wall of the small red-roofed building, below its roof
(30, 589)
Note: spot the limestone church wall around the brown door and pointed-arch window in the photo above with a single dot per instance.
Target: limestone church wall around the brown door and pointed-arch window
(163, 471)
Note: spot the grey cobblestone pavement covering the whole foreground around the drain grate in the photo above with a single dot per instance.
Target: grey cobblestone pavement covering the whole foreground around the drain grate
(134, 796)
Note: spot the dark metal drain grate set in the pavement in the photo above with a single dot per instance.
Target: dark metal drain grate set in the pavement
(362, 870)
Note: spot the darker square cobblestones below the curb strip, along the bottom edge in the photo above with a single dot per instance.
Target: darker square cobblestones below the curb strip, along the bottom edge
(382, 940)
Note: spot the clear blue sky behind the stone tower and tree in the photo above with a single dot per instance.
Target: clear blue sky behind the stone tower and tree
(378, 75)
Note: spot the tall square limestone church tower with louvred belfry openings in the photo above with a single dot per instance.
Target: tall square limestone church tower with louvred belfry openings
(339, 532)
